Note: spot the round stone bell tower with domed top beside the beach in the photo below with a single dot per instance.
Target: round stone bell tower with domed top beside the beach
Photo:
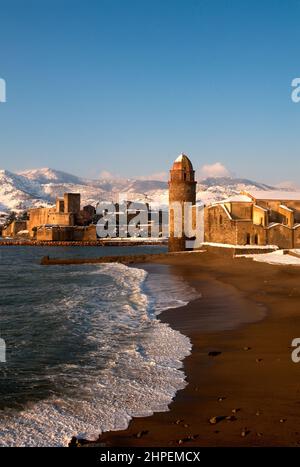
(182, 189)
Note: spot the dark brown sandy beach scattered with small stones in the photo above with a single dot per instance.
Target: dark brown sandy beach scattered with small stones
(243, 388)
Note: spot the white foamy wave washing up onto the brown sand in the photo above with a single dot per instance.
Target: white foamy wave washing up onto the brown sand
(131, 363)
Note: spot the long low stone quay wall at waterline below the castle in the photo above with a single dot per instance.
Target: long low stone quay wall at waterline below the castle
(87, 243)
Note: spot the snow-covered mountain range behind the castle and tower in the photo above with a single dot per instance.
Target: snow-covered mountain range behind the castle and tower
(39, 187)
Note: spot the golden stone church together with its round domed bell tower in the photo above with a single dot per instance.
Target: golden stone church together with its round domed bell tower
(257, 218)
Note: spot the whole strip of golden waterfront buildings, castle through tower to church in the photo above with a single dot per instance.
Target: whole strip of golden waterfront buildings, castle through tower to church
(250, 219)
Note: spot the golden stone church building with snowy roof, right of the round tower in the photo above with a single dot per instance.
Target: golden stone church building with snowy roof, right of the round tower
(255, 218)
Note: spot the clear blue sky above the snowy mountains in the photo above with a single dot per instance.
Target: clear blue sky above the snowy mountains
(125, 85)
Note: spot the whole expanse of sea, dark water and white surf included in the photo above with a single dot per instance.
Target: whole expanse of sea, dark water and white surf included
(85, 351)
